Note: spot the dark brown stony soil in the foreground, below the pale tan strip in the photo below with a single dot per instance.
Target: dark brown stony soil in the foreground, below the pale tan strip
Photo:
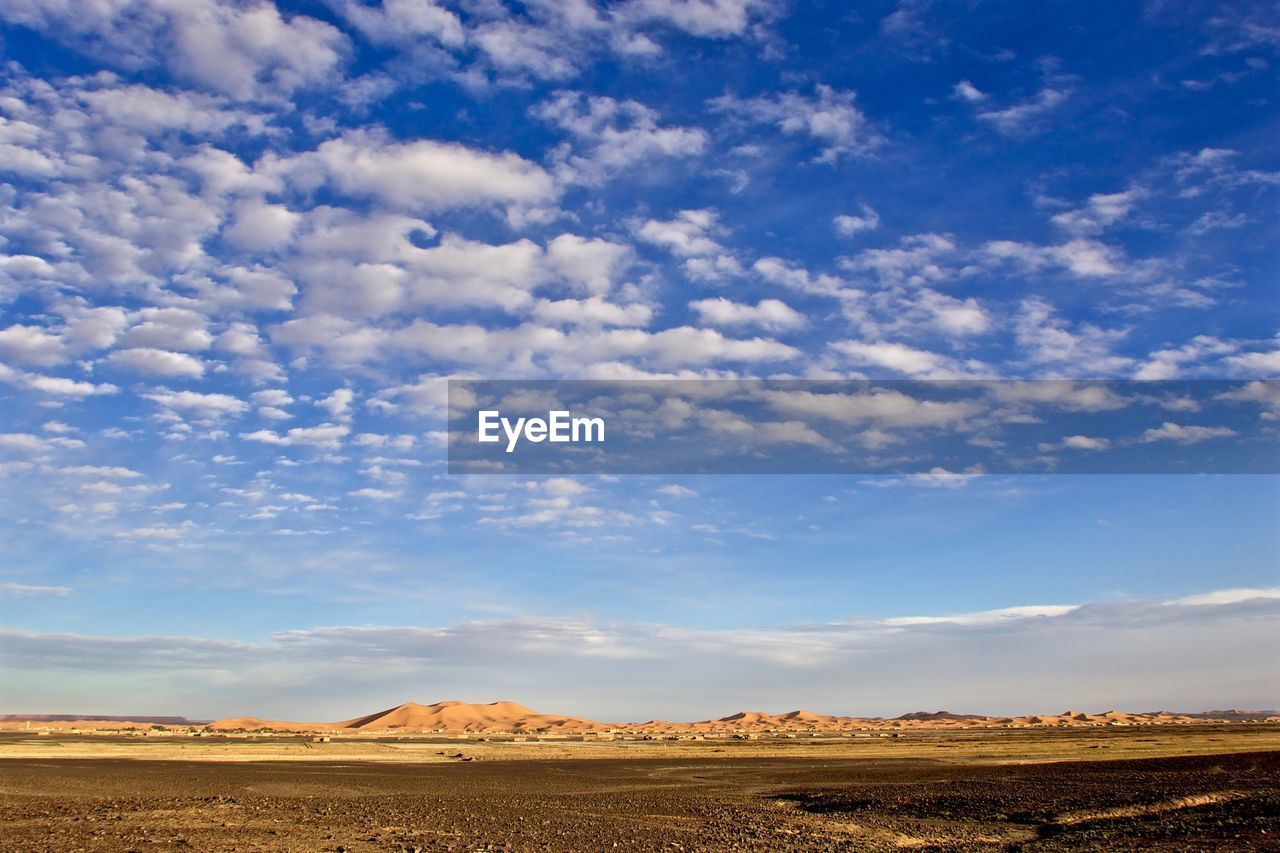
(697, 802)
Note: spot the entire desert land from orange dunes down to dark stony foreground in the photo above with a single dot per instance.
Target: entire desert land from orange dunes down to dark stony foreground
(502, 777)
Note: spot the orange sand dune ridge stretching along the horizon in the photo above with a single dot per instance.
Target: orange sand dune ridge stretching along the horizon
(514, 719)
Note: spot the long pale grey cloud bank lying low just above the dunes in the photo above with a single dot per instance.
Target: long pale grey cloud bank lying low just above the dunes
(1197, 653)
